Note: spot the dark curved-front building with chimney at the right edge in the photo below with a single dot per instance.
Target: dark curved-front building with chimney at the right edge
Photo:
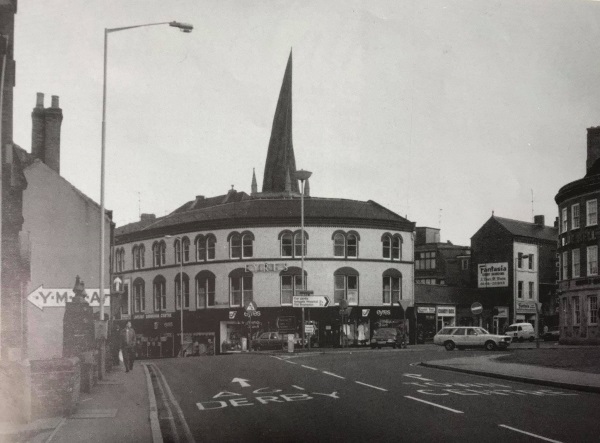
(579, 237)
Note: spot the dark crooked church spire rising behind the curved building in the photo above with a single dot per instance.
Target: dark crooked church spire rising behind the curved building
(280, 156)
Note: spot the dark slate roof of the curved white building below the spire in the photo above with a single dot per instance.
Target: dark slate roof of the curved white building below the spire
(246, 211)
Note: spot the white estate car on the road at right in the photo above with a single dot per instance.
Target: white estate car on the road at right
(470, 337)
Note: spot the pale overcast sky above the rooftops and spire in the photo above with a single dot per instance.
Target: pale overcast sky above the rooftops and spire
(443, 111)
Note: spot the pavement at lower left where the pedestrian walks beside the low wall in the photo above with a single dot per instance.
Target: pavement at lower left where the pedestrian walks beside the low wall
(116, 410)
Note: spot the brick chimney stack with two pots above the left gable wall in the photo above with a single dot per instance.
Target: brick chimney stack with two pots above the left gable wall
(45, 132)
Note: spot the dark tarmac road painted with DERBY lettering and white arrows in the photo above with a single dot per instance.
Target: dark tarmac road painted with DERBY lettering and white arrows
(367, 395)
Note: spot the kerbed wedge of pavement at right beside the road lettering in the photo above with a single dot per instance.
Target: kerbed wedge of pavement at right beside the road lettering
(490, 366)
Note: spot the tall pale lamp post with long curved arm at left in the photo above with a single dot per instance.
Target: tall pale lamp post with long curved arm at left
(184, 27)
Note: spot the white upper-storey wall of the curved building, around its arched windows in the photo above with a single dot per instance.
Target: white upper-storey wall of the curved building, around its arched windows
(320, 265)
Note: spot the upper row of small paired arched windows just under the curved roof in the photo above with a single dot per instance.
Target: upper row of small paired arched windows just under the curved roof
(241, 245)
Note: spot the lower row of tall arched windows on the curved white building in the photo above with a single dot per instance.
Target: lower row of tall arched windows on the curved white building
(241, 287)
